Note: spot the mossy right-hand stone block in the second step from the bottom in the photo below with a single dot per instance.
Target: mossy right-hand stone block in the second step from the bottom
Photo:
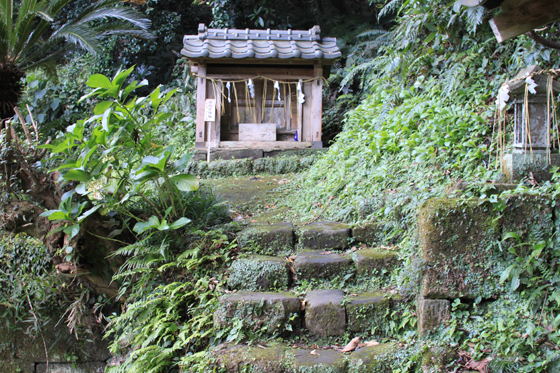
(367, 312)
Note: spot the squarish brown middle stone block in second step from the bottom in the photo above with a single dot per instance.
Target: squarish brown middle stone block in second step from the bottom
(324, 314)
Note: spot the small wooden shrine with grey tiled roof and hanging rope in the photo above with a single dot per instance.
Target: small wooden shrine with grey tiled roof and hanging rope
(259, 88)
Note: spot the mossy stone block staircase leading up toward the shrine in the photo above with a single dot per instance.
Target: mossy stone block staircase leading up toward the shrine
(262, 296)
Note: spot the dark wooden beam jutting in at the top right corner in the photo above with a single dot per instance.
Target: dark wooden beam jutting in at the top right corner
(521, 16)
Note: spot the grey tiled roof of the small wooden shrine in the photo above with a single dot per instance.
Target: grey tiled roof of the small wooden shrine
(262, 44)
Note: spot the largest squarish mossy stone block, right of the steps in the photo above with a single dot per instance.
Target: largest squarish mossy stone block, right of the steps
(457, 240)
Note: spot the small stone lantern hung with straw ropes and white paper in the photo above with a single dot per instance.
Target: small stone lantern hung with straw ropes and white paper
(531, 143)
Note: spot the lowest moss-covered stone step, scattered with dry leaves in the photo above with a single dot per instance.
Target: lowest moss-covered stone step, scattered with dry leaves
(279, 358)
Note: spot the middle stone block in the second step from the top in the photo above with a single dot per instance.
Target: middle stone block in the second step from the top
(310, 265)
